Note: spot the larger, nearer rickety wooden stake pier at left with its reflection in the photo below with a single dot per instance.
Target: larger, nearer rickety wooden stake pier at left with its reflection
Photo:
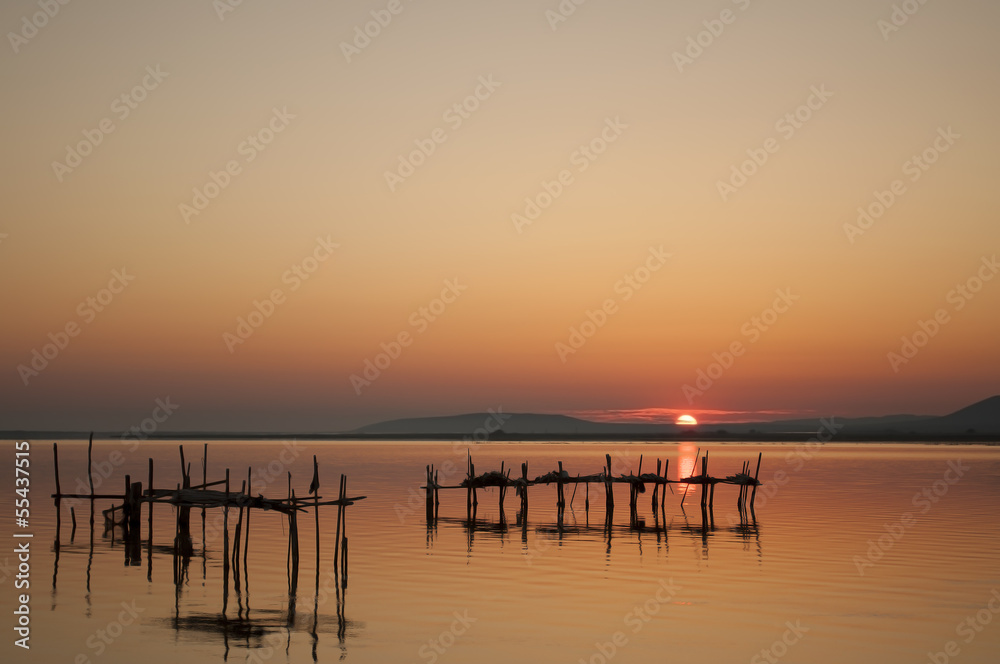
(317, 609)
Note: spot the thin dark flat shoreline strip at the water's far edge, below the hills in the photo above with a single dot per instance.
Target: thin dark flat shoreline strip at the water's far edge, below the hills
(498, 437)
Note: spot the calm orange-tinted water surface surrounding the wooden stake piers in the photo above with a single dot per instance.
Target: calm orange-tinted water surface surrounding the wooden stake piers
(859, 553)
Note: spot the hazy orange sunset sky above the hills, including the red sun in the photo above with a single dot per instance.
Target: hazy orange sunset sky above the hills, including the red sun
(311, 216)
